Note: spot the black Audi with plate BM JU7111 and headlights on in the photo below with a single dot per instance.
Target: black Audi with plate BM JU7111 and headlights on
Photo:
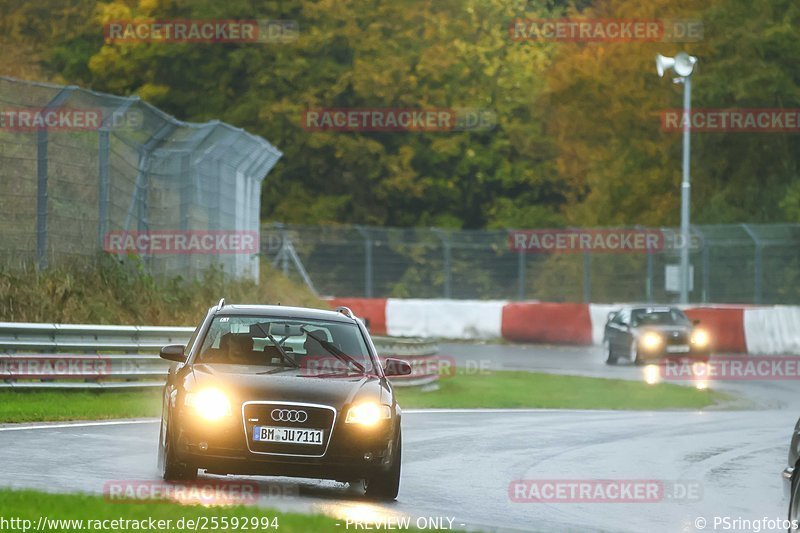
(284, 391)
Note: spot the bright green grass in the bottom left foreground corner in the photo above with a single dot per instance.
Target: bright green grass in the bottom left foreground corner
(57, 508)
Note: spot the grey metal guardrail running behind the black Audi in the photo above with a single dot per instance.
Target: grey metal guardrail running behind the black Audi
(83, 356)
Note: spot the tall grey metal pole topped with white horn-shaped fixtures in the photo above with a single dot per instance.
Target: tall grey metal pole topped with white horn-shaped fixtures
(683, 65)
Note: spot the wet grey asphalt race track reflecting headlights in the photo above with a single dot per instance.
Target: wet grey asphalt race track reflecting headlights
(459, 464)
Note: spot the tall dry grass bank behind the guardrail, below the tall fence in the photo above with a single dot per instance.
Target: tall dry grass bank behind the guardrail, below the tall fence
(111, 292)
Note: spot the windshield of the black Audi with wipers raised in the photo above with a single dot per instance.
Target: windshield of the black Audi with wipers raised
(316, 347)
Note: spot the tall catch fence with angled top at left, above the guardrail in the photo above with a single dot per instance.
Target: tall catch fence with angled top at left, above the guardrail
(82, 171)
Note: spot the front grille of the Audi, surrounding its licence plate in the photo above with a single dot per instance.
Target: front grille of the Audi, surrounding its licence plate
(290, 415)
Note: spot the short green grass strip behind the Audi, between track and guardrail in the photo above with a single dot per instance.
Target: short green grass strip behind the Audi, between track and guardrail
(504, 389)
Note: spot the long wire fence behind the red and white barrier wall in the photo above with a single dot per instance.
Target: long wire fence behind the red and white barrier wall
(744, 263)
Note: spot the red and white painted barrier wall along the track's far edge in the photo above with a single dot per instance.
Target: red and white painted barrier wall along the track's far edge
(773, 330)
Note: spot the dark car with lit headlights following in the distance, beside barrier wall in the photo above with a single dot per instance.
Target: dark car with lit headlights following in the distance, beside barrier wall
(650, 333)
